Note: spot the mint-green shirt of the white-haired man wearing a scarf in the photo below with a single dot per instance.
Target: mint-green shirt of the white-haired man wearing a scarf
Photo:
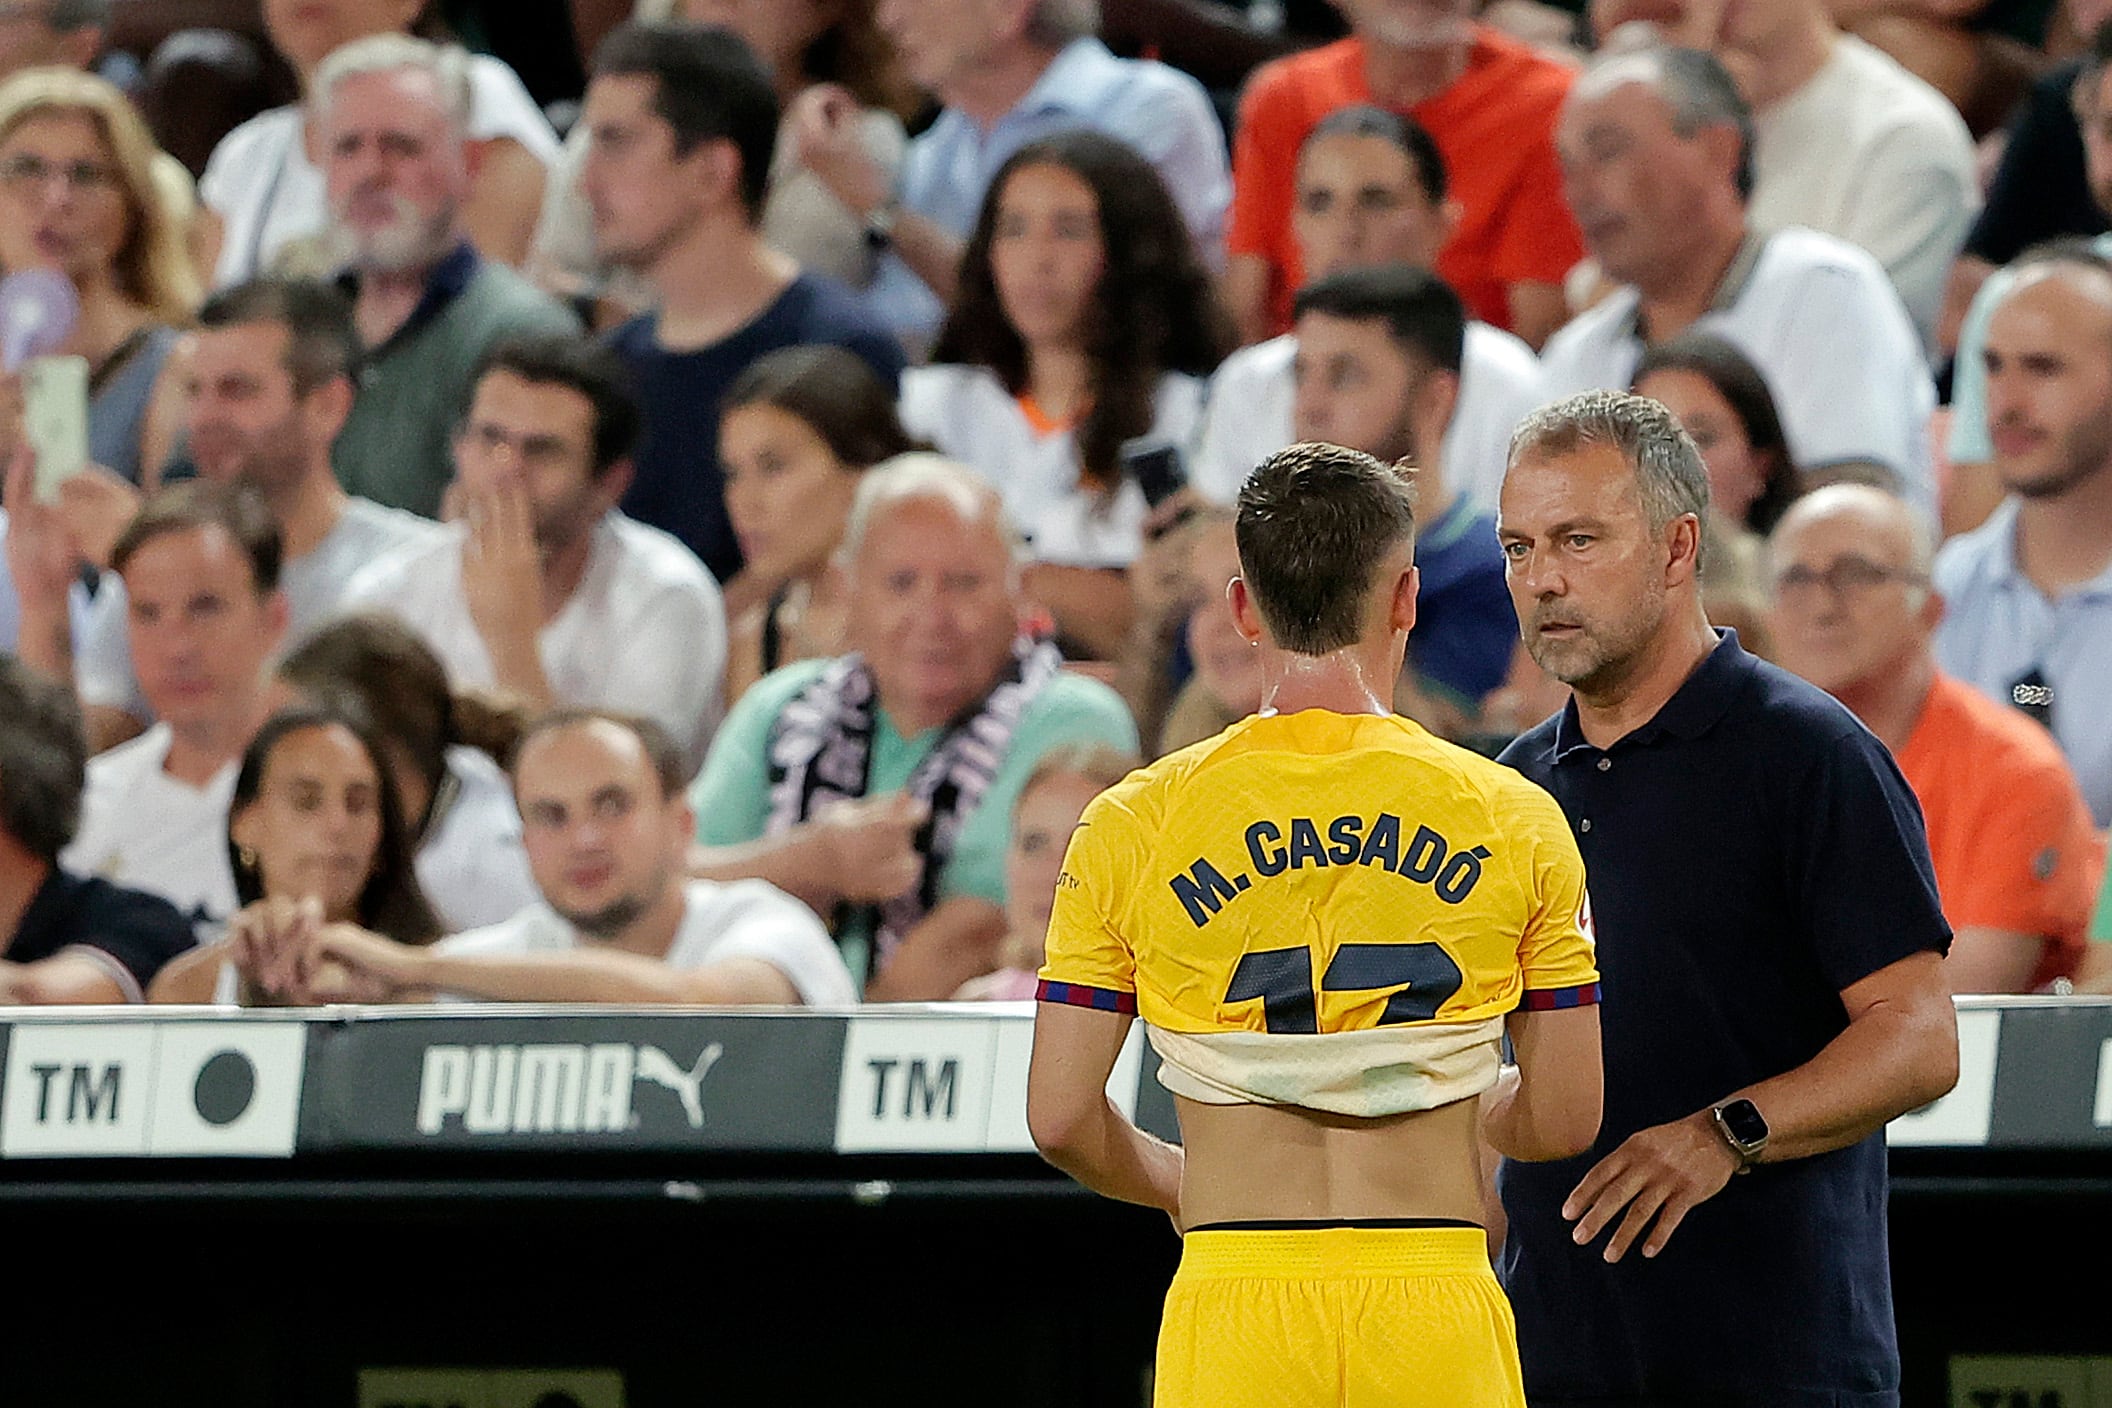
(734, 793)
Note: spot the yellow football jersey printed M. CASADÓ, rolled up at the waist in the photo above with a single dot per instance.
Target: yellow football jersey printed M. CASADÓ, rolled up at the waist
(1323, 909)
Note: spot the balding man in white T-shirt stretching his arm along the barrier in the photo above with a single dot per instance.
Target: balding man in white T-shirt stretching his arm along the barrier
(618, 924)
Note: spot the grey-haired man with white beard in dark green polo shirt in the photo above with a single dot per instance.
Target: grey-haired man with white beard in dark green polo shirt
(392, 119)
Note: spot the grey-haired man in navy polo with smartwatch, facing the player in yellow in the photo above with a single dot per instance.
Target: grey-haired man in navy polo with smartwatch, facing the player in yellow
(1771, 943)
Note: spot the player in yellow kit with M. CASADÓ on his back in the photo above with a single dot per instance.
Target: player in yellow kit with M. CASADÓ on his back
(1327, 919)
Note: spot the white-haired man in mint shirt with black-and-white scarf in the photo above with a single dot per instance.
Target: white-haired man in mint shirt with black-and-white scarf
(880, 786)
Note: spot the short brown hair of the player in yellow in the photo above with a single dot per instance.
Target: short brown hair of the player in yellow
(1315, 522)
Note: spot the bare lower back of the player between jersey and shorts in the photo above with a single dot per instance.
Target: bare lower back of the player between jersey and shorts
(1266, 1162)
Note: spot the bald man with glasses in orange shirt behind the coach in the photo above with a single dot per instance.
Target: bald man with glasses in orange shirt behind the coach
(2016, 852)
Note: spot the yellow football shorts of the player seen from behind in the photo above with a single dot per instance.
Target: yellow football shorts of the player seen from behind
(1338, 1318)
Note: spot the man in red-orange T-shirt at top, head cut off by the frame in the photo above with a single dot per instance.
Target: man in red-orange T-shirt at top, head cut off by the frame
(1492, 107)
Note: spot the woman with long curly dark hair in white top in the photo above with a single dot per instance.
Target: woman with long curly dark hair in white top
(1080, 337)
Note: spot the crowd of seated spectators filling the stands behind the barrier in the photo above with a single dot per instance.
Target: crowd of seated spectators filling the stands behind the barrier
(715, 554)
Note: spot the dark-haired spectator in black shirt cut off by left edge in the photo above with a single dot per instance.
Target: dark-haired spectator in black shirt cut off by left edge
(67, 938)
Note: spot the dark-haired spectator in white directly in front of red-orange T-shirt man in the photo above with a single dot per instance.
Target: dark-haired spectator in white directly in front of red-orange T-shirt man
(1372, 191)
